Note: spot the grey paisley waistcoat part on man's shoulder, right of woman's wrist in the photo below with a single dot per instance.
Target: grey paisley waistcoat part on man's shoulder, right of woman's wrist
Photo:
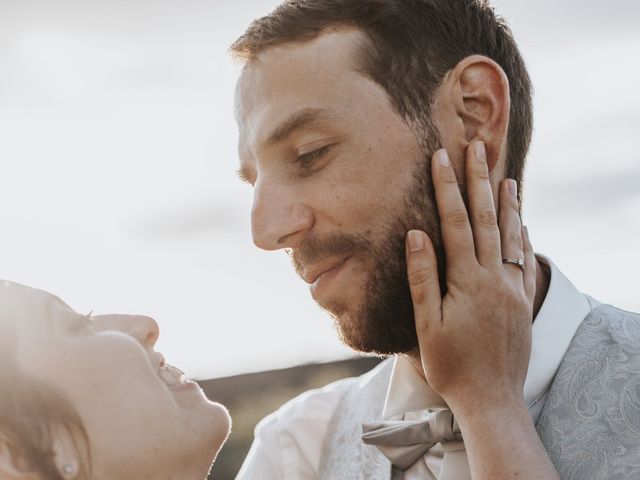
(590, 424)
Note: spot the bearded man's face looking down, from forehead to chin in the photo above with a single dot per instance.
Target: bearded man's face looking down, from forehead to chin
(339, 177)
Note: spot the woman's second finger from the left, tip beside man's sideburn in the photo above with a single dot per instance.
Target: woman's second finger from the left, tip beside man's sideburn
(457, 236)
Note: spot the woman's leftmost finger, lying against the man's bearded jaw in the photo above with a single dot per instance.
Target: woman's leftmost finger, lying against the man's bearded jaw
(422, 272)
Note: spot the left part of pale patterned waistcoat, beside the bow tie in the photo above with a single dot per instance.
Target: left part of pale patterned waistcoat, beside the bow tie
(345, 456)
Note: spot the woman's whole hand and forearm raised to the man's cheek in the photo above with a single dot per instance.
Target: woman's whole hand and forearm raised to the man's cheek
(475, 342)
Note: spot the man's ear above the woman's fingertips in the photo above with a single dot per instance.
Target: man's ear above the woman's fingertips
(476, 99)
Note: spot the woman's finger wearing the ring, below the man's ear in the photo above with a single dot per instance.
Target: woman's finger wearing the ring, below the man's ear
(511, 229)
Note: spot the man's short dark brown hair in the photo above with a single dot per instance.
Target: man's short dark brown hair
(412, 45)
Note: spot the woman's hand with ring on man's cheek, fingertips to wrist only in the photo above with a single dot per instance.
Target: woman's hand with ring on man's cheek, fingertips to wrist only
(476, 341)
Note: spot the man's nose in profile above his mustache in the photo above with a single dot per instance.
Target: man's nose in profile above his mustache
(278, 218)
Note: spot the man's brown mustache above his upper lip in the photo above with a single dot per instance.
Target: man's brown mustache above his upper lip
(314, 249)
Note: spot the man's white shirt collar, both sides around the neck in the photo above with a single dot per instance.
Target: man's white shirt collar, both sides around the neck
(561, 314)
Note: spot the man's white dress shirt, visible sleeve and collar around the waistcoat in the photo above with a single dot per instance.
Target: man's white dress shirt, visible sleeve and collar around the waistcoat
(288, 443)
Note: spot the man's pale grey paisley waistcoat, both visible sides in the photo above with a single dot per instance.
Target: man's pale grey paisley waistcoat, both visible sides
(590, 423)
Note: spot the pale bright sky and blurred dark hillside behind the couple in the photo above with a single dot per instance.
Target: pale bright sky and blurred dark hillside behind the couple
(118, 189)
